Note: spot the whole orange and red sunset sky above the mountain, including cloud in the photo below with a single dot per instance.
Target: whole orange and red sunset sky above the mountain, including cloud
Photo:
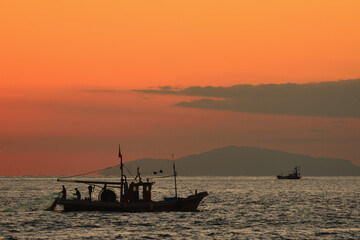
(77, 78)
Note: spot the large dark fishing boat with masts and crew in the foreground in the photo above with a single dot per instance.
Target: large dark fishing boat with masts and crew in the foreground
(133, 197)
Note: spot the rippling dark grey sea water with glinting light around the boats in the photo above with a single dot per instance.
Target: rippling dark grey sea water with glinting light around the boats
(236, 208)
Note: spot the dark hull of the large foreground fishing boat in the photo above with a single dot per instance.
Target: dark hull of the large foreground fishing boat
(189, 204)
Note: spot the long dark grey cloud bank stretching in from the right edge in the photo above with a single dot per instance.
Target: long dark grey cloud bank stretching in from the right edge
(330, 99)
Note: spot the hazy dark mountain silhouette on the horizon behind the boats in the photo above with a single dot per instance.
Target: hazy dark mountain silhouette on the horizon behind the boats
(241, 161)
